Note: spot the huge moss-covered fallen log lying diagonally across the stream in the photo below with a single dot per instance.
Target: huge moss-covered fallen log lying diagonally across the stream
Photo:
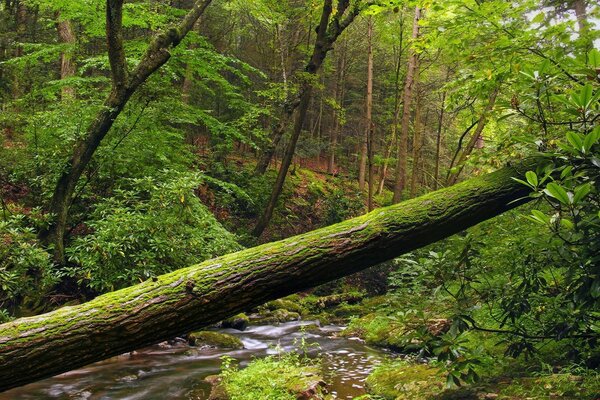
(192, 298)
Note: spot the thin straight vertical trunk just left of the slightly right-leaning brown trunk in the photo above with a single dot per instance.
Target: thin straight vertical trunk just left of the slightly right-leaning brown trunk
(369, 114)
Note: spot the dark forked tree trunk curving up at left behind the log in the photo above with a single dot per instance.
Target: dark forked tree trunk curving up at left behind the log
(124, 85)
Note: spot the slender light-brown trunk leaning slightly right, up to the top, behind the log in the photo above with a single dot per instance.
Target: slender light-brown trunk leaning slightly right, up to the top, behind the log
(400, 182)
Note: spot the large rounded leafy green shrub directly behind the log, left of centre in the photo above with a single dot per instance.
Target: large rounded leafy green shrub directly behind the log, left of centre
(154, 226)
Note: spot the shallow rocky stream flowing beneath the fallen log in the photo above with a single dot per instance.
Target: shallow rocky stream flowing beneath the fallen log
(177, 371)
